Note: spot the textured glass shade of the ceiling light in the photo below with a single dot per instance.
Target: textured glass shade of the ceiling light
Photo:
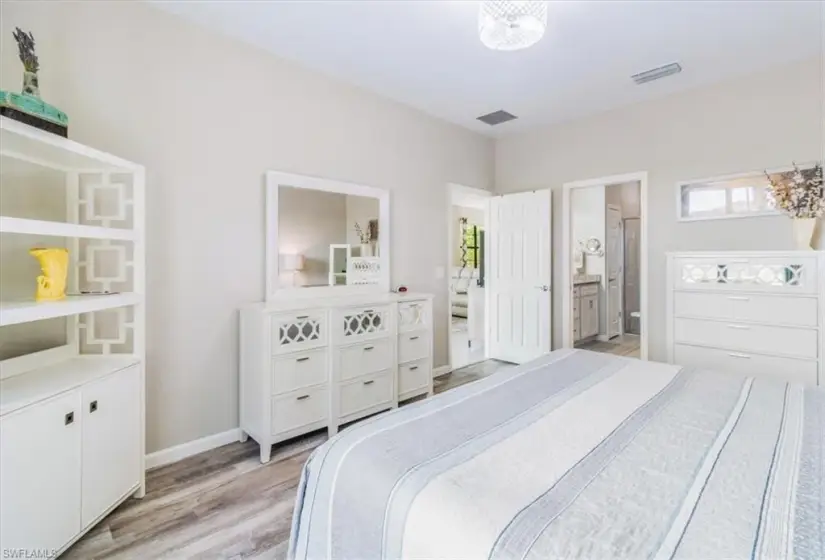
(509, 25)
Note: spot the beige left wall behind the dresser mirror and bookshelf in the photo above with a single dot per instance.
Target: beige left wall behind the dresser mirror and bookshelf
(207, 116)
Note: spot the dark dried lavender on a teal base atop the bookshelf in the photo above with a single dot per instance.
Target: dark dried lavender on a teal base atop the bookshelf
(27, 107)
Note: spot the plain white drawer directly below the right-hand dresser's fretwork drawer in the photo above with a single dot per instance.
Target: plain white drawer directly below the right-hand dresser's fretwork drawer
(777, 310)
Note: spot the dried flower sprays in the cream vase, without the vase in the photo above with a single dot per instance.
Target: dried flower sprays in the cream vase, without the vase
(799, 193)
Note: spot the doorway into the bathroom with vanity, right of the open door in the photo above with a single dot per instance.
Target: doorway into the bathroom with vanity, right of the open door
(604, 262)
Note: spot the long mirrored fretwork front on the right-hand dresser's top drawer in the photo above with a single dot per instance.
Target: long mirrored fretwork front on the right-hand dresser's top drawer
(744, 274)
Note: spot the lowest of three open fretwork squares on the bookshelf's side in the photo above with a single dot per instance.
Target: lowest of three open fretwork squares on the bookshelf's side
(107, 332)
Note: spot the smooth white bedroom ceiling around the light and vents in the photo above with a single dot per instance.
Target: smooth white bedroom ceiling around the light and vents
(427, 53)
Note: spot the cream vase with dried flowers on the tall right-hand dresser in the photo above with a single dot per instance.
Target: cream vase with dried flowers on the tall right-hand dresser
(799, 194)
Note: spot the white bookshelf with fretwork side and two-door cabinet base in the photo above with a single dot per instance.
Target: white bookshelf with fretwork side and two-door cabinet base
(84, 398)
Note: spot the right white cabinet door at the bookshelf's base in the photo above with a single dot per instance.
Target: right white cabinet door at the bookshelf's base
(111, 440)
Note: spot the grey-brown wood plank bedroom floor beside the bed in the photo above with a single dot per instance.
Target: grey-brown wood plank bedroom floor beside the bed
(220, 504)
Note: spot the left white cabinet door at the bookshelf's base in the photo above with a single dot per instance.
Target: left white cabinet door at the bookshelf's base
(40, 475)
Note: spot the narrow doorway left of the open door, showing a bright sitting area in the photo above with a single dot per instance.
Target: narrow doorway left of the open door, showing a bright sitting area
(467, 249)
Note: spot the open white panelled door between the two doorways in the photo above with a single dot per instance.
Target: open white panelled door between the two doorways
(518, 279)
